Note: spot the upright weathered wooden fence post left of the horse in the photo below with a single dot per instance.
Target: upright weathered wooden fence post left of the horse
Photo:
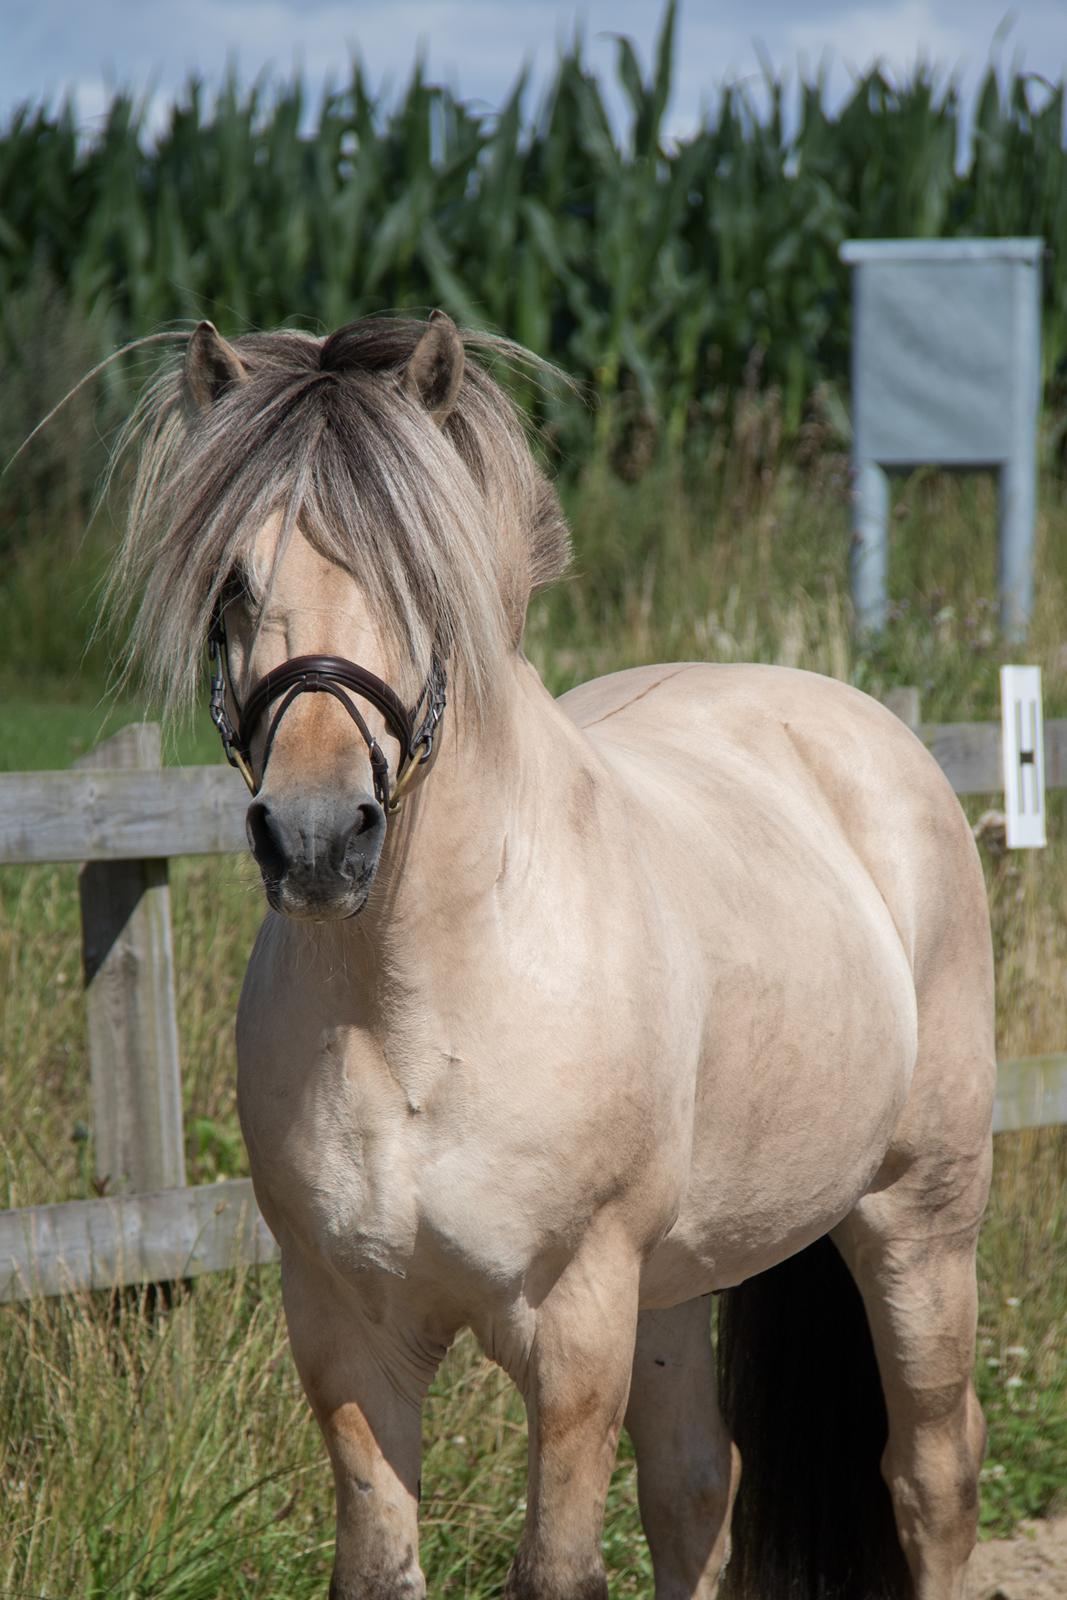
(130, 994)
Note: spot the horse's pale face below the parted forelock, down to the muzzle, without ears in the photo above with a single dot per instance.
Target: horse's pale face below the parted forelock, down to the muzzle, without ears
(322, 780)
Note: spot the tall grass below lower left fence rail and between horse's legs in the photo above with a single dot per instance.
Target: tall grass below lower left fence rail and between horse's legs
(220, 1487)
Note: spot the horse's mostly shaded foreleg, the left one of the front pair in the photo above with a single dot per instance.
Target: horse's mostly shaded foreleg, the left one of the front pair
(366, 1388)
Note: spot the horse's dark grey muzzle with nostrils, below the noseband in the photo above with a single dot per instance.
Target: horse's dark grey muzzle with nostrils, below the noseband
(318, 854)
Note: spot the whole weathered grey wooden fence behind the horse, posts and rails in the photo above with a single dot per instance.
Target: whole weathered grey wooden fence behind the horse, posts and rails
(122, 815)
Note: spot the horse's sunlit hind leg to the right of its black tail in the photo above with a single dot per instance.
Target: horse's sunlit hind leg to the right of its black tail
(911, 1249)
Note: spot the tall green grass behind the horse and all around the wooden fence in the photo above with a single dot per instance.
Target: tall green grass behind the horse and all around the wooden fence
(170, 1455)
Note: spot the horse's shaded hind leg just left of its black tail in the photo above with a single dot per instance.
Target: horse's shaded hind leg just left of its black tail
(687, 1466)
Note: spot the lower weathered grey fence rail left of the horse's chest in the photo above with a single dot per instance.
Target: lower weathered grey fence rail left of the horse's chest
(134, 1239)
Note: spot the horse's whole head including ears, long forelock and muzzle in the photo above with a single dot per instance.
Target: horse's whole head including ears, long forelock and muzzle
(348, 521)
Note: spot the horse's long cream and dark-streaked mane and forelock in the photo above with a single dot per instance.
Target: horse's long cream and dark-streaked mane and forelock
(447, 530)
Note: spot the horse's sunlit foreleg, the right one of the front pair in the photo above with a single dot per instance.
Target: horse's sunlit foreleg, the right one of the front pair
(575, 1370)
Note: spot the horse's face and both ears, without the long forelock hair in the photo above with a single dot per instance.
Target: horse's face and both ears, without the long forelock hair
(308, 670)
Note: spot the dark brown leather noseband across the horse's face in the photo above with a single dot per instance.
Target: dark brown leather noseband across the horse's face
(414, 730)
